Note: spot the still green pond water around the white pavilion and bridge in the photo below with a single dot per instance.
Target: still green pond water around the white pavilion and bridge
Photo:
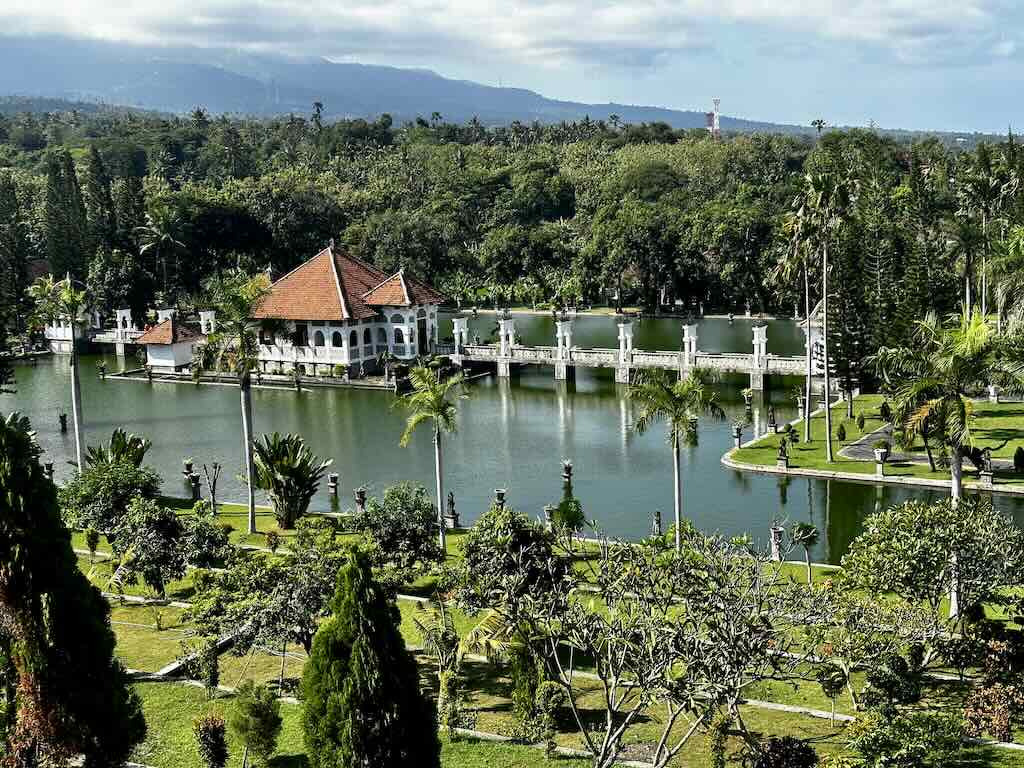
(513, 434)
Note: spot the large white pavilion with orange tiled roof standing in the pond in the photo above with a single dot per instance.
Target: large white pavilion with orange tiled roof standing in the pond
(338, 311)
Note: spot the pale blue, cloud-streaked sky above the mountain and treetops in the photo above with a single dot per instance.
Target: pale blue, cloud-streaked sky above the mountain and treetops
(941, 65)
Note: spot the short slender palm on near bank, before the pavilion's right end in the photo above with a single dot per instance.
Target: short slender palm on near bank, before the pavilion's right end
(432, 400)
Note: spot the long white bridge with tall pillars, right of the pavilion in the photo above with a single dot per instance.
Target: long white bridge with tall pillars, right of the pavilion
(565, 358)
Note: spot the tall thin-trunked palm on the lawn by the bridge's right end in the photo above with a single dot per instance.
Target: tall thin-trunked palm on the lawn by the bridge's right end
(823, 208)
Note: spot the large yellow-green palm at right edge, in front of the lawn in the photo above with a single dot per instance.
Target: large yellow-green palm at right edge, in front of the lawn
(932, 381)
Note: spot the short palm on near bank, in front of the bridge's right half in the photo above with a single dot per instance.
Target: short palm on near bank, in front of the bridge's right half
(678, 404)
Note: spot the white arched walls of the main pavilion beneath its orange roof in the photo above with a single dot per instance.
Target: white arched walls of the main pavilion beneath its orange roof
(317, 347)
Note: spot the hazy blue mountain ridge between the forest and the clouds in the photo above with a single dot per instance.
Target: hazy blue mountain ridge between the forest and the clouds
(181, 79)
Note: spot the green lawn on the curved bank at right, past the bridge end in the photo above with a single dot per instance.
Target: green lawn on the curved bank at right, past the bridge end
(995, 424)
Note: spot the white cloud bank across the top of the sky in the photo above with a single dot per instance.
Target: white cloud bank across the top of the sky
(627, 33)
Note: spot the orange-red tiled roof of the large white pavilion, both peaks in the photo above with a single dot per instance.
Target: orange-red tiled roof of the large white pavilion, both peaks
(334, 286)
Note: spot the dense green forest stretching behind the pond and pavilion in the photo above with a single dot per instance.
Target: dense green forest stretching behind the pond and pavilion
(145, 208)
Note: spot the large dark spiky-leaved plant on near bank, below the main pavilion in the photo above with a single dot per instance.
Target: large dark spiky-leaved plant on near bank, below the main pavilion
(290, 474)
